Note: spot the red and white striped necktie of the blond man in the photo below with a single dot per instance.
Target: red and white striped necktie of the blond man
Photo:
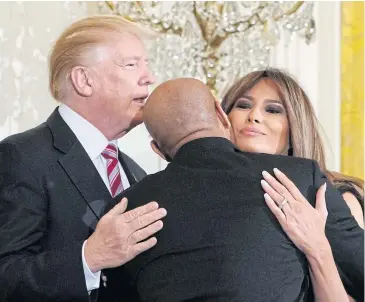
(110, 153)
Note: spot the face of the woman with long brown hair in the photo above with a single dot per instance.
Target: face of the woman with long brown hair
(259, 120)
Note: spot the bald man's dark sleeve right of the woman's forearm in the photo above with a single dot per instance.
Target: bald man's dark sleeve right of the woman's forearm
(346, 238)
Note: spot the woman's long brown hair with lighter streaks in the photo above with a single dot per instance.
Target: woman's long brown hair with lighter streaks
(305, 139)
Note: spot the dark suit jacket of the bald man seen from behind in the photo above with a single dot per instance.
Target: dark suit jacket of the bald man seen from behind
(220, 242)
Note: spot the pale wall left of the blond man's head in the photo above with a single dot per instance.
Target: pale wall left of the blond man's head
(27, 30)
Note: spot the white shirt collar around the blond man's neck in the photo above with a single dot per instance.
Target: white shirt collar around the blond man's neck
(91, 139)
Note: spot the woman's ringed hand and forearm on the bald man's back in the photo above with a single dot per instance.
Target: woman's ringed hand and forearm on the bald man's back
(305, 226)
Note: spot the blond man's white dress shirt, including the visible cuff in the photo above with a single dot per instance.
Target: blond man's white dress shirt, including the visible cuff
(94, 143)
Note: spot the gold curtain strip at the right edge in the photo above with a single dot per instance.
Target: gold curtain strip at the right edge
(352, 88)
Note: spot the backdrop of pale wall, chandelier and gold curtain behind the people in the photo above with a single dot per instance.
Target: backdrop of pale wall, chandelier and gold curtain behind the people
(320, 43)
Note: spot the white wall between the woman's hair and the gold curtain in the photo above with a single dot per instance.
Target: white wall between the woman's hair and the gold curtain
(317, 67)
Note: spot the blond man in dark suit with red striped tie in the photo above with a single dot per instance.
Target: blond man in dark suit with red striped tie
(56, 178)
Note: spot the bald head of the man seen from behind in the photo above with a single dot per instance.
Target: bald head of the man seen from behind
(177, 109)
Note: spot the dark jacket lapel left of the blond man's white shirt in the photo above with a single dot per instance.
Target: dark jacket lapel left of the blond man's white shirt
(78, 166)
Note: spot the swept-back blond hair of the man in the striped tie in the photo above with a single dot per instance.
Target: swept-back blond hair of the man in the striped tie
(75, 42)
